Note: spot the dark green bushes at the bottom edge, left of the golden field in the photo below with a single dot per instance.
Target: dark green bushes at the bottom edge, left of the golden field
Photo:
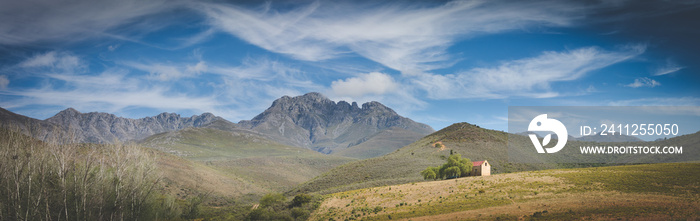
(274, 206)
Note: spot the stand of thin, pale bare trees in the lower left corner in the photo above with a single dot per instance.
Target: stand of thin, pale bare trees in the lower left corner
(59, 181)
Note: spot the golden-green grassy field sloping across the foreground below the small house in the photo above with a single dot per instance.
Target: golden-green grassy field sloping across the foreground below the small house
(651, 191)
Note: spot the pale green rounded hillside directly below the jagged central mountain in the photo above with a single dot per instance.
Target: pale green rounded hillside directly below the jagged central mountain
(246, 157)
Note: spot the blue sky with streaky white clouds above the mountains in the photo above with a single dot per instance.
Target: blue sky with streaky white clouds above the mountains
(437, 62)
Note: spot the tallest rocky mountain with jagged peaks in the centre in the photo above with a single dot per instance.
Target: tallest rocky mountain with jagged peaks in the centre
(316, 122)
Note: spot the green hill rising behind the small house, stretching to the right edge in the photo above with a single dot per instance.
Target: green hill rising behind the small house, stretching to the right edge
(473, 142)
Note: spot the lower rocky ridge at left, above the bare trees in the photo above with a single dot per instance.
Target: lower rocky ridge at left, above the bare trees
(99, 127)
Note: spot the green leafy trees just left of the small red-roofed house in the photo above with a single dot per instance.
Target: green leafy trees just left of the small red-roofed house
(455, 167)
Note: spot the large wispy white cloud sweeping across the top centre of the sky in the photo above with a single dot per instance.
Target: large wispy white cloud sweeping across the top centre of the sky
(401, 37)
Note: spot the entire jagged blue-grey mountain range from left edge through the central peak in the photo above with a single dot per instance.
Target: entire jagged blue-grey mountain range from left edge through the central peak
(310, 121)
